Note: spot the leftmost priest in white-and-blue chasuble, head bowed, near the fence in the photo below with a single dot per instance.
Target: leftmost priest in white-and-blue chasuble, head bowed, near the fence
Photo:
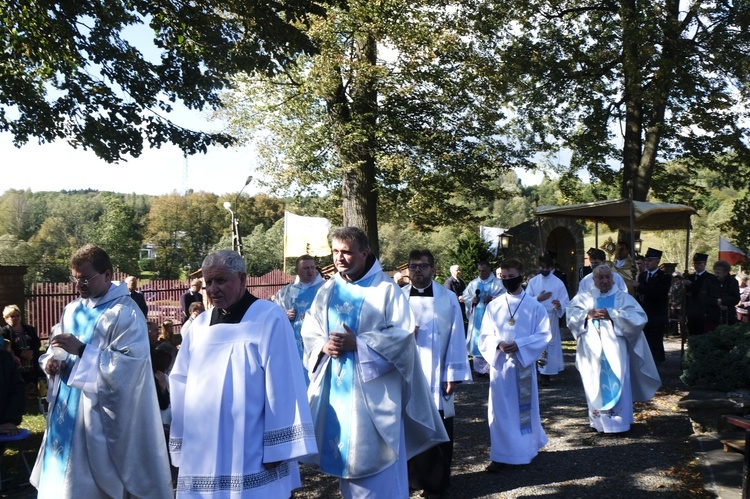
(104, 437)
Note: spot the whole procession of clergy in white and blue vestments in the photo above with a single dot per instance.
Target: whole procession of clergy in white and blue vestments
(354, 375)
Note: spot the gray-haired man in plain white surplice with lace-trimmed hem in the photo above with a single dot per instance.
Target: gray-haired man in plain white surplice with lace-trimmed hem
(240, 419)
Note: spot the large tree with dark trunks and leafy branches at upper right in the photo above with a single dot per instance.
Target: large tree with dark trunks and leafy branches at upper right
(623, 82)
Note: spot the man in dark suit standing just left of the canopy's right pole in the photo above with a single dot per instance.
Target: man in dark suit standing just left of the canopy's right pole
(652, 290)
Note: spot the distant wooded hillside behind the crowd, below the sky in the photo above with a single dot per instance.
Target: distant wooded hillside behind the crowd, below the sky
(185, 227)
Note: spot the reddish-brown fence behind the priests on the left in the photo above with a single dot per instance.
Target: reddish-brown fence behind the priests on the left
(46, 301)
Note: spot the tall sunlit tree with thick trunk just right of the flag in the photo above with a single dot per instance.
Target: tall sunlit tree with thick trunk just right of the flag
(392, 111)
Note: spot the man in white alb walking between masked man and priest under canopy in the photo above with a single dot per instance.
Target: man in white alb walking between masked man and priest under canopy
(550, 291)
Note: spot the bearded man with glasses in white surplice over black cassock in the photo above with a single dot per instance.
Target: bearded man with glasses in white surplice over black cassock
(440, 339)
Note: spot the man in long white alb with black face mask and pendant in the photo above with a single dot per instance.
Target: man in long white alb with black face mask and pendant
(515, 332)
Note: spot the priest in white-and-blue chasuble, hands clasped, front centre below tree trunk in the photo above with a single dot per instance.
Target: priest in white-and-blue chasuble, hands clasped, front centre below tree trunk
(369, 398)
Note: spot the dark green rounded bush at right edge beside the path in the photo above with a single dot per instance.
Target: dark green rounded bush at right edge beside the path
(719, 360)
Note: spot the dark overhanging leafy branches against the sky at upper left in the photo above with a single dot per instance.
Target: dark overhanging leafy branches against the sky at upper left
(69, 69)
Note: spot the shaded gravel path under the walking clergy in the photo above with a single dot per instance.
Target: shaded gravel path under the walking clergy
(654, 458)
